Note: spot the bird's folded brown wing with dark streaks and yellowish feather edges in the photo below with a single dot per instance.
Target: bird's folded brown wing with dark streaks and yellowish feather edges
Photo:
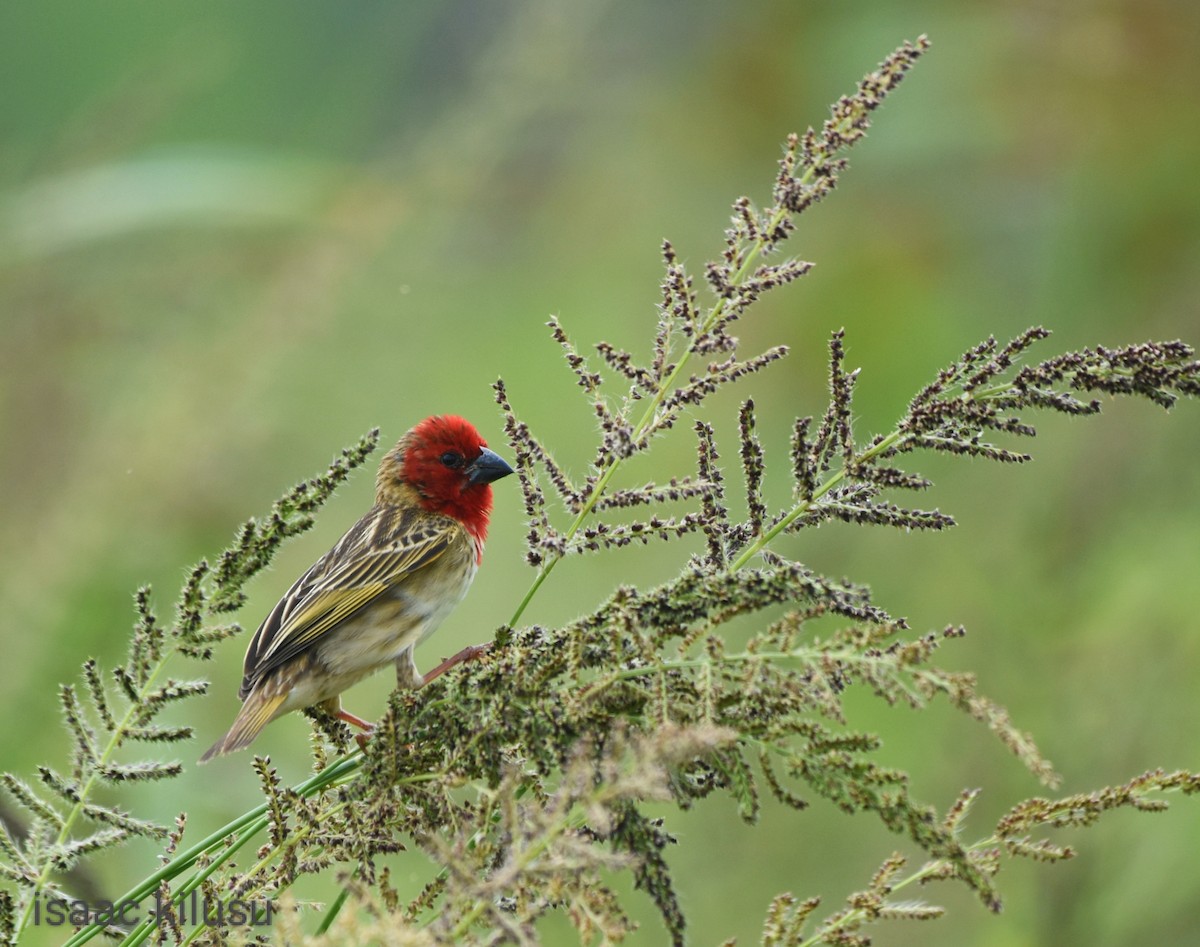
(380, 552)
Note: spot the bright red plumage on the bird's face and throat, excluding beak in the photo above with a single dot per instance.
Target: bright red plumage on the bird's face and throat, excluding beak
(443, 487)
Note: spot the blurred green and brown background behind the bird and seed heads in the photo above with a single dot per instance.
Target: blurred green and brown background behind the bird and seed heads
(236, 237)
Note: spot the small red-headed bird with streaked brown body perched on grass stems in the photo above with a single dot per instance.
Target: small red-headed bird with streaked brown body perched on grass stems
(385, 586)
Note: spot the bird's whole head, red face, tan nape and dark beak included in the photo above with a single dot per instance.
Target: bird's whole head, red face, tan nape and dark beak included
(445, 465)
